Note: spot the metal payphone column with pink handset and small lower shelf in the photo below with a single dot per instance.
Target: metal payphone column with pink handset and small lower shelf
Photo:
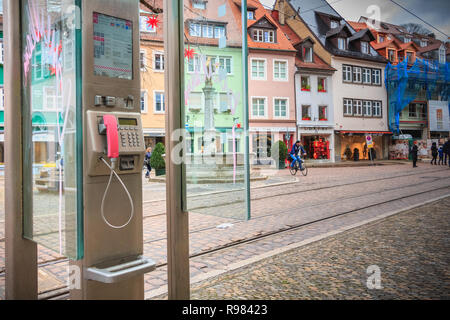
(113, 153)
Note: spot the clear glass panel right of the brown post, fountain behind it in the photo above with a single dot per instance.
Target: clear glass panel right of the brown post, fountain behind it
(214, 109)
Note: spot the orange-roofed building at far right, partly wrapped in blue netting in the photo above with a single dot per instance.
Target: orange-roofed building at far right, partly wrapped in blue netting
(400, 46)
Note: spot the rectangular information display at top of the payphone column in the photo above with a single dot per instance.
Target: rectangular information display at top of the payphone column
(113, 47)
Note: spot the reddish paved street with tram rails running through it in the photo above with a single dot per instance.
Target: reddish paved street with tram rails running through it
(325, 192)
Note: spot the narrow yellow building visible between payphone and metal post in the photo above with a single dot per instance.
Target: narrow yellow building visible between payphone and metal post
(152, 77)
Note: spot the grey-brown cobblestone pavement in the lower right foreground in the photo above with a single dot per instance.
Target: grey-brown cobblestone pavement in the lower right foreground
(412, 250)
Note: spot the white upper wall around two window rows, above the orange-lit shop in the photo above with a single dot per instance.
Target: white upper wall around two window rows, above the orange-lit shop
(343, 90)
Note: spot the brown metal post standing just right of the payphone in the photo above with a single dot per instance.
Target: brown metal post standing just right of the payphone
(177, 220)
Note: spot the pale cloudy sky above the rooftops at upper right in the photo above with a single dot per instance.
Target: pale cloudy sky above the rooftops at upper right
(435, 12)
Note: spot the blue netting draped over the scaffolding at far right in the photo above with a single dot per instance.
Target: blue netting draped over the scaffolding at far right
(404, 83)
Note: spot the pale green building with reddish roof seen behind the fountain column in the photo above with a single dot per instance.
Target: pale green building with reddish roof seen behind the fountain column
(214, 77)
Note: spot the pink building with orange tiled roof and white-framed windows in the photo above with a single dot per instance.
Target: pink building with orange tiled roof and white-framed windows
(272, 115)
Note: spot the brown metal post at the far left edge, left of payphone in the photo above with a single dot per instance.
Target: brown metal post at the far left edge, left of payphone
(21, 254)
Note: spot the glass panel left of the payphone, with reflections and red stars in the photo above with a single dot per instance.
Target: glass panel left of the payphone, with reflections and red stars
(50, 121)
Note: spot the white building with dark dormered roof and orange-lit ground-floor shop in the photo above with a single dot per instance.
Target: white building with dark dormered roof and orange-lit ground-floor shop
(358, 93)
